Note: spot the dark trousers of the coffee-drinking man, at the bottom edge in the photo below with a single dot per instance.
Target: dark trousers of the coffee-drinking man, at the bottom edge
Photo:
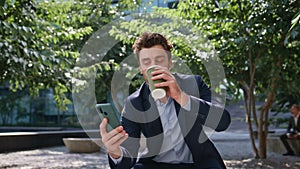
(155, 165)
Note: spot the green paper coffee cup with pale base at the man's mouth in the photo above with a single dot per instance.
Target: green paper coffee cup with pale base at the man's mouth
(156, 93)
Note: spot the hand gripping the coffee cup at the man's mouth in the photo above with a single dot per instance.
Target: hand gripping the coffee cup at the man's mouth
(173, 89)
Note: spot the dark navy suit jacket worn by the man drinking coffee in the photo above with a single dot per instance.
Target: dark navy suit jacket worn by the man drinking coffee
(140, 115)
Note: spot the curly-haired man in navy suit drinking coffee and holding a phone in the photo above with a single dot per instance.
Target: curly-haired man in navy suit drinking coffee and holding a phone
(173, 125)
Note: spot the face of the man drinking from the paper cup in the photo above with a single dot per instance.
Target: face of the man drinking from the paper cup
(156, 55)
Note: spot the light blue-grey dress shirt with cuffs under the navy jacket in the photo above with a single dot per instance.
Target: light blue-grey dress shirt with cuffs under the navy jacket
(174, 150)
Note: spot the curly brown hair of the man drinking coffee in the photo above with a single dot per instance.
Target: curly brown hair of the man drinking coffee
(149, 39)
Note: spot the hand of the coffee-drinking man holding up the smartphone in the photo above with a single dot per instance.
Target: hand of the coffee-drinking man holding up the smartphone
(113, 139)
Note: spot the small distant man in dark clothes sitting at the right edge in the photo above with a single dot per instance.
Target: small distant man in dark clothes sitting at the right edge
(292, 130)
